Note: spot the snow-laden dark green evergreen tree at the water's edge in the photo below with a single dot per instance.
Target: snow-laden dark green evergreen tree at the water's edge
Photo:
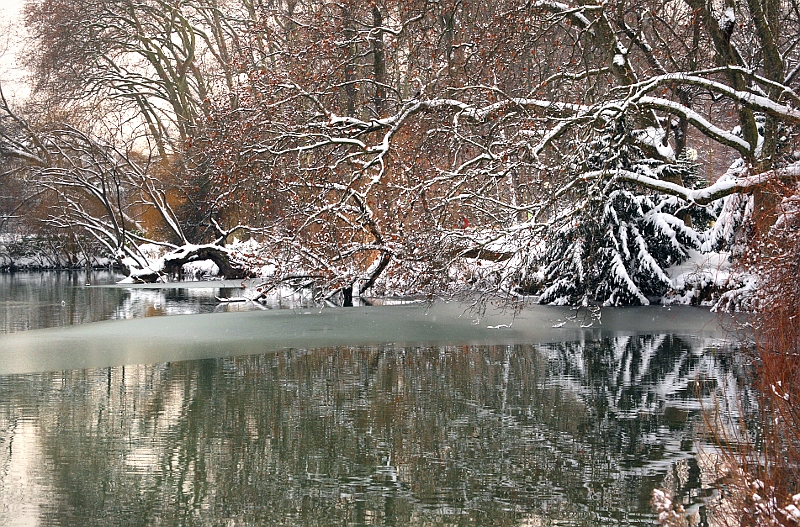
(616, 249)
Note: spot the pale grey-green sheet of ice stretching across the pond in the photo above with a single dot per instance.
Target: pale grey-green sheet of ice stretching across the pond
(163, 339)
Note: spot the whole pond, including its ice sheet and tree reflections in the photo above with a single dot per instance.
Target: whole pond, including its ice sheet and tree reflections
(394, 415)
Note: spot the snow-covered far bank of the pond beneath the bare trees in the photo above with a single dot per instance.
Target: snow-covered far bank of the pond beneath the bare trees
(703, 279)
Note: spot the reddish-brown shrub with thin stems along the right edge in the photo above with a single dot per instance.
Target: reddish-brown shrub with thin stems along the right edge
(763, 465)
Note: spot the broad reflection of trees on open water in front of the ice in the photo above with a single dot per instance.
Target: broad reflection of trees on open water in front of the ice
(578, 433)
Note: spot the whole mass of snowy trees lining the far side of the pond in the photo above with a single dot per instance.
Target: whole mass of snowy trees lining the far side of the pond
(575, 151)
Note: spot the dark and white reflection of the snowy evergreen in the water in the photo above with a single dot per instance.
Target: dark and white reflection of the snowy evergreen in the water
(650, 396)
